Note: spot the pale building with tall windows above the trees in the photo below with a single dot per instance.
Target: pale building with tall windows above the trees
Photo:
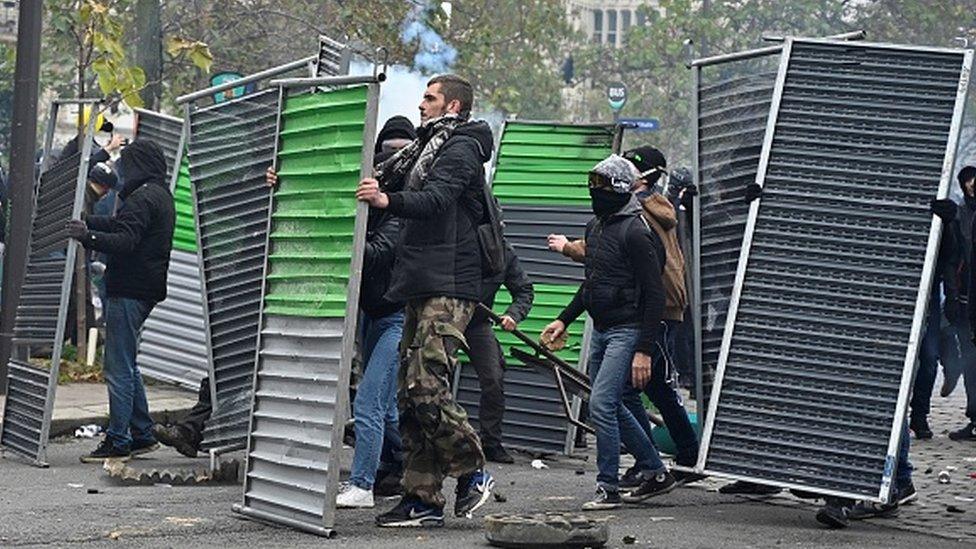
(606, 21)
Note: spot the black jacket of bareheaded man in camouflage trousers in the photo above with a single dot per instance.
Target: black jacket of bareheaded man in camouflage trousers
(438, 253)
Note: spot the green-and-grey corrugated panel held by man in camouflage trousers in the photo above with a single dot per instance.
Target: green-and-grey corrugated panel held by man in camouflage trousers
(311, 297)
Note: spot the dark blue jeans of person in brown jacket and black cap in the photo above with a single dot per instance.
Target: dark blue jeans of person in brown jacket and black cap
(662, 393)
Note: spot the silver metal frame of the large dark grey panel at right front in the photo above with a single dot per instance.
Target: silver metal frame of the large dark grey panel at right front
(920, 303)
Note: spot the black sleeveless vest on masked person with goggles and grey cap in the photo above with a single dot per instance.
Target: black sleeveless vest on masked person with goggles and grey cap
(610, 292)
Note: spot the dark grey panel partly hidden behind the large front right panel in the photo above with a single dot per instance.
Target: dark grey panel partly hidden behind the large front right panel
(732, 100)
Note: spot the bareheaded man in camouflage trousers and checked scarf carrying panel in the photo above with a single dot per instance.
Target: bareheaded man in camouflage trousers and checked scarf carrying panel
(438, 275)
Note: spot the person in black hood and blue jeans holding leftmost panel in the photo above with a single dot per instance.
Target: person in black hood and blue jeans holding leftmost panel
(137, 241)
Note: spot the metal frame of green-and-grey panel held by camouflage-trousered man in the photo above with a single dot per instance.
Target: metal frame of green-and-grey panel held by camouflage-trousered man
(348, 332)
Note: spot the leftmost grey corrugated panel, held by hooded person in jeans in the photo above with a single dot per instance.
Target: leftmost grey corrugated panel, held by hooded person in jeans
(39, 325)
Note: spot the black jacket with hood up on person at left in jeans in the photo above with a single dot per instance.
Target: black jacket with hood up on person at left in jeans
(139, 238)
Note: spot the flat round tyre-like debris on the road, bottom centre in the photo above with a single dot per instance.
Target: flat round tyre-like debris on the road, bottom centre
(546, 530)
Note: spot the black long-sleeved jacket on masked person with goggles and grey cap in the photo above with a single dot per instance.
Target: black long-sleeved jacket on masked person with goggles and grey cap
(624, 263)
